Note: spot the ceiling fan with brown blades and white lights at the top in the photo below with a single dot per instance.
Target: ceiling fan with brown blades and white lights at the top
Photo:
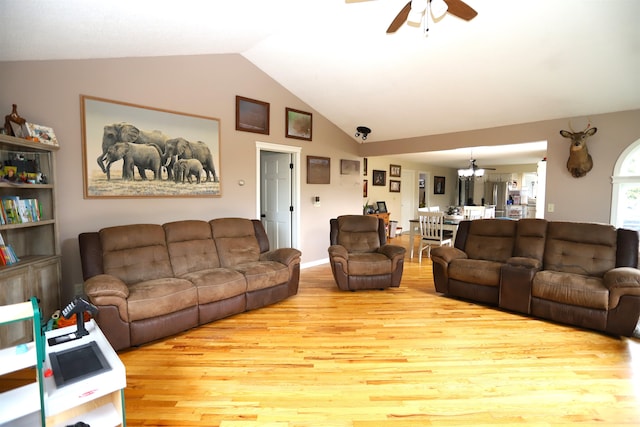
(415, 10)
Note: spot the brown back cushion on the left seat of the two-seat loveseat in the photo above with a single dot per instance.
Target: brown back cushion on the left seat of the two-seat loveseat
(491, 239)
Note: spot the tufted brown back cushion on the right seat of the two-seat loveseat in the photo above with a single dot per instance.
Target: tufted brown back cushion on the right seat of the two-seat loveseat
(580, 248)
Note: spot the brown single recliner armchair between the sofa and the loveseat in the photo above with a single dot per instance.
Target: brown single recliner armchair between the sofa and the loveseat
(359, 255)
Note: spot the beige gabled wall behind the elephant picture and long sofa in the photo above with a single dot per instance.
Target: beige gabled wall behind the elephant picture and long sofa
(49, 92)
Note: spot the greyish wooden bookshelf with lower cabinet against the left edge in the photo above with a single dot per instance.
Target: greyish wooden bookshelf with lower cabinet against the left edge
(35, 243)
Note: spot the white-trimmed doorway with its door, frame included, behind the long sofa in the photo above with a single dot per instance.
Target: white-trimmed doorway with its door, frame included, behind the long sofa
(278, 193)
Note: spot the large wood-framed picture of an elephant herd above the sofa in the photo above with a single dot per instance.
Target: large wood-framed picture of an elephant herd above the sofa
(133, 151)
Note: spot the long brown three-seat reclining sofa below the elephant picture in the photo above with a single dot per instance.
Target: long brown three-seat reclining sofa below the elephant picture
(151, 281)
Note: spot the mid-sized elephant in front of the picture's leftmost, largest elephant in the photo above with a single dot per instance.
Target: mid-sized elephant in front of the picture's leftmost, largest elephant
(142, 156)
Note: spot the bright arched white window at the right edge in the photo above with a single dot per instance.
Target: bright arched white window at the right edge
(625, 201)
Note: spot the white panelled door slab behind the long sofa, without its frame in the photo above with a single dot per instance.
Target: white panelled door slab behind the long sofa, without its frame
(276, 197)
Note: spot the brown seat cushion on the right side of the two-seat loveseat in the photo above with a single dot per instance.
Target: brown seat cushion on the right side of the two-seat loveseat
(572, 289)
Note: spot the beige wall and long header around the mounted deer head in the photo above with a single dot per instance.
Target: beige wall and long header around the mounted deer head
(578, 199)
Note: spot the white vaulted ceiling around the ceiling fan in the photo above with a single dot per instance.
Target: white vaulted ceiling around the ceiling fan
(518, 61)
